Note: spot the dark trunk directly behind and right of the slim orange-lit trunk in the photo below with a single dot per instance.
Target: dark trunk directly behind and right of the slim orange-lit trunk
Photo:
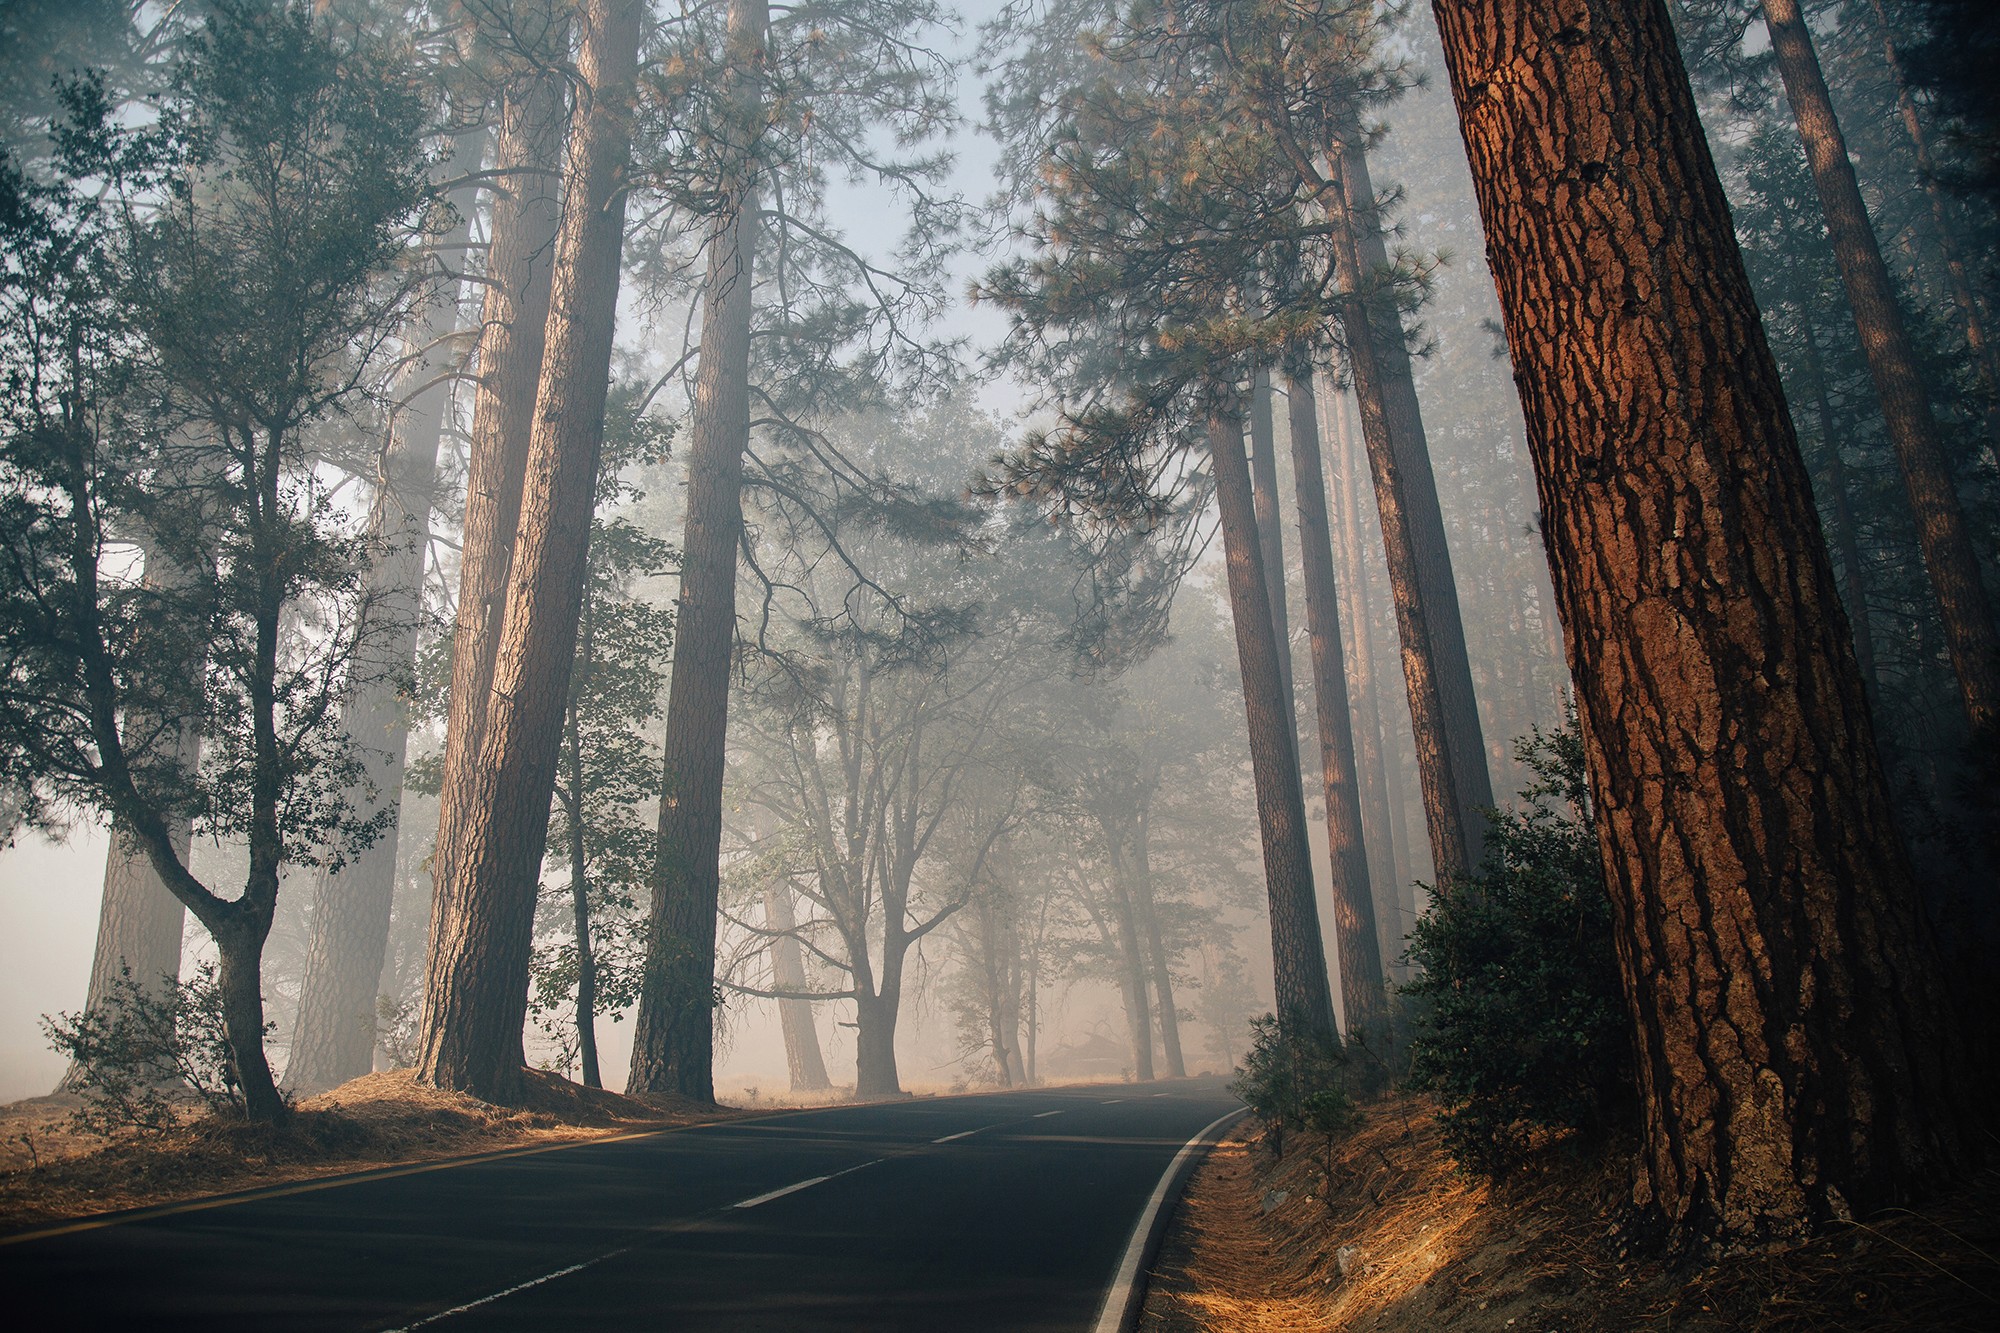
(1403, 467)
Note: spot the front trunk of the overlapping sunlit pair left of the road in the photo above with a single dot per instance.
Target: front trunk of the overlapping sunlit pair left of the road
(493, 838)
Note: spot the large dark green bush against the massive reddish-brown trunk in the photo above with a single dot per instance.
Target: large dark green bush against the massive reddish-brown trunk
(1521, 1020)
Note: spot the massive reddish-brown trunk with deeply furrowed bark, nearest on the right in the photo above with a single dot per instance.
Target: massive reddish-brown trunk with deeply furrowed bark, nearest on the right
(1791, 1032)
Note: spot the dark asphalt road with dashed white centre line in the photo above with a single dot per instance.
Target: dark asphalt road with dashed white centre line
(957, 1214)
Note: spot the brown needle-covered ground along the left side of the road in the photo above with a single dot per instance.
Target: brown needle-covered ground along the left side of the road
(55, 1172)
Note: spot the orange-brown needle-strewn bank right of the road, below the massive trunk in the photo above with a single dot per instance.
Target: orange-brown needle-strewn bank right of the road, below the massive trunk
(1397, 1240)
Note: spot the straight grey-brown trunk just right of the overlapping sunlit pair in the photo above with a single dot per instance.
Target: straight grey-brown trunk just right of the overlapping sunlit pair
(673, 1042)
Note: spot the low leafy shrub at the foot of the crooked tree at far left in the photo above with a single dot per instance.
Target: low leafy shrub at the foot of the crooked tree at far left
(137, 1058)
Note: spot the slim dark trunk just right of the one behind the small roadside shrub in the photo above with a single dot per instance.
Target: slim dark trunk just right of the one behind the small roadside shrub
(1363, 996)
